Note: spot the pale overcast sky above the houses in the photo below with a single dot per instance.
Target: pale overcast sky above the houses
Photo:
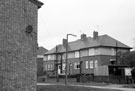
(57, 18)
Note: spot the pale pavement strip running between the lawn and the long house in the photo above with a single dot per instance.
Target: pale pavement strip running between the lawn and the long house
(95, 85)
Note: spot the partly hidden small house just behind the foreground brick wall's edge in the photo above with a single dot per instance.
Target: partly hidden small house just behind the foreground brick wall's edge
(40, 56)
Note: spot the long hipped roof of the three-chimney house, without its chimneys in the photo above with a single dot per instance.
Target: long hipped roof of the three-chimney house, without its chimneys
(101, 41)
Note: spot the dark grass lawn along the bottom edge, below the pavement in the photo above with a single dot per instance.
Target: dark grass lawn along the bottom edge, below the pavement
(68, 88)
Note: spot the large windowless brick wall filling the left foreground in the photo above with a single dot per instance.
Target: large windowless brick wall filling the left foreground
(17, 48)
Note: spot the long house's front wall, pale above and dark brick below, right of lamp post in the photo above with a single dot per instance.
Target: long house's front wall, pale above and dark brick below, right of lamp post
(102, 55)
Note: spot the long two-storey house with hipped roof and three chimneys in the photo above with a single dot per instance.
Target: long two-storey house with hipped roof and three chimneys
(87, 55)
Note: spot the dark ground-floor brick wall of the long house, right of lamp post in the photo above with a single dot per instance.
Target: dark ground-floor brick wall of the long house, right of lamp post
(101, 60)
